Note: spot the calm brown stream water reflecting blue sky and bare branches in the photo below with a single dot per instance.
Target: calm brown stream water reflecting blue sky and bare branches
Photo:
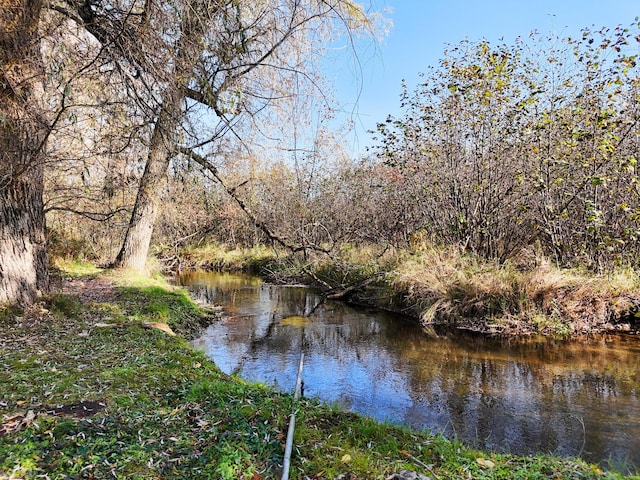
(569, 398)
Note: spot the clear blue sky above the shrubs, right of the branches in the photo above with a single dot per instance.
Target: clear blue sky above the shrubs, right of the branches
(422, 29)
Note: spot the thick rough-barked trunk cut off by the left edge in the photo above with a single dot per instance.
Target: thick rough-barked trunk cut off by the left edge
(23, 131)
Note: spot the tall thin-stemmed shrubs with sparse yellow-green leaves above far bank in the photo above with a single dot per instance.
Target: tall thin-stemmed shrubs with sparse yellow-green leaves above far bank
(536, 142)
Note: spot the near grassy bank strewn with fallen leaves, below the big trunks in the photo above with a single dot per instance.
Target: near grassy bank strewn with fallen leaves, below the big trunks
(95, 386)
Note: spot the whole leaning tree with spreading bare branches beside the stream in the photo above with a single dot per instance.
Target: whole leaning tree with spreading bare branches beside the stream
(227, 60)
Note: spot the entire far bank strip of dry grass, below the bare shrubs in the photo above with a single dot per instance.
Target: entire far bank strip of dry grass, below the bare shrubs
(524, 296)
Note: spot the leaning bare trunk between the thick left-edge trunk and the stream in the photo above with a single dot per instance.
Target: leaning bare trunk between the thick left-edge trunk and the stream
(135, 247)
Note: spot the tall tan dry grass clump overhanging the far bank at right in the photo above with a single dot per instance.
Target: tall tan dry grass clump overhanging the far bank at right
(444, 286)
